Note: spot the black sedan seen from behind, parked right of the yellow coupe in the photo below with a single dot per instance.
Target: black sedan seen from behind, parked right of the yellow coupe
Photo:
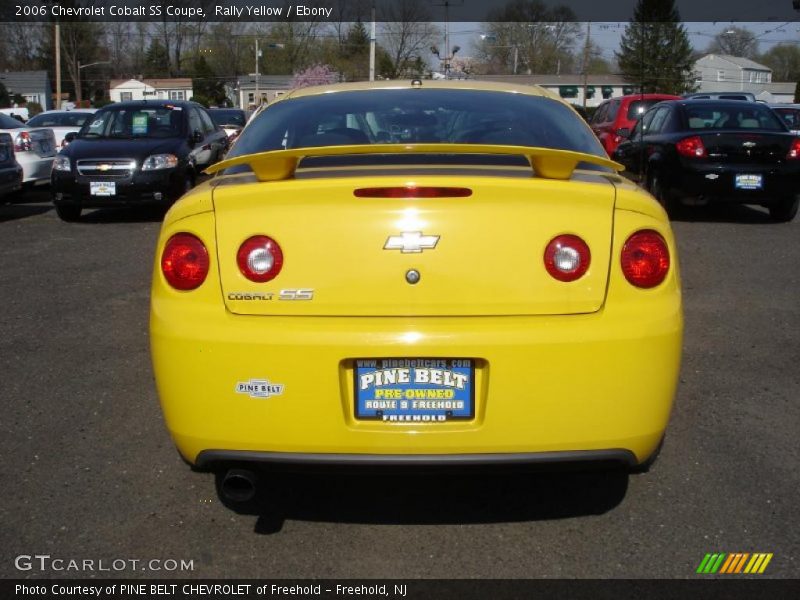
(715, 151)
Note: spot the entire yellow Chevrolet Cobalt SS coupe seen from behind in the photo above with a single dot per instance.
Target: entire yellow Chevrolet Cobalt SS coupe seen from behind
(415, 273)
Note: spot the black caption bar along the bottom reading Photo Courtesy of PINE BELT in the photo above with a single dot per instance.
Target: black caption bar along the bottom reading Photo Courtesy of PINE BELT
(729, 588)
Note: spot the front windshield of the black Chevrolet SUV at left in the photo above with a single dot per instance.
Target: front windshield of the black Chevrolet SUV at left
(134, 122)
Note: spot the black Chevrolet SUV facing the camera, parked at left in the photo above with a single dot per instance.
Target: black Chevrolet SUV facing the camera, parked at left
(134, 153)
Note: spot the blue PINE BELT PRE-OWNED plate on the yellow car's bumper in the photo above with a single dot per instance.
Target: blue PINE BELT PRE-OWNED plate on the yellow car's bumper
(414, 390)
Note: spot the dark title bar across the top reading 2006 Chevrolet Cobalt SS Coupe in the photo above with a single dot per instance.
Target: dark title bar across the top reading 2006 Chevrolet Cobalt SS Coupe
(333, 11)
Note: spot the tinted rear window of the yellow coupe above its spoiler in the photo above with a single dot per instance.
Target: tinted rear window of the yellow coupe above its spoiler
(392, 116)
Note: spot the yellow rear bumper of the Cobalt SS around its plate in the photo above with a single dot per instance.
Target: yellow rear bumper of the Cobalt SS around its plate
(546, 388)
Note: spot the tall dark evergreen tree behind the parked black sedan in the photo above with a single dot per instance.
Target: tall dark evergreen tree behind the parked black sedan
(655, 51)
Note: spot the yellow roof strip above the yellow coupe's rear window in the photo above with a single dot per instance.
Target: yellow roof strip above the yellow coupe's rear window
(425, 84)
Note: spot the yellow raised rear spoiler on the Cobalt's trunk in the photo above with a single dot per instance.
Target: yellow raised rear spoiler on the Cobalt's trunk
(277, 165)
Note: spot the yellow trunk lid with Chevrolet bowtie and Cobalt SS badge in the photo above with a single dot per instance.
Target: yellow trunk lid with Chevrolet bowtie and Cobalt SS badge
(344, 255)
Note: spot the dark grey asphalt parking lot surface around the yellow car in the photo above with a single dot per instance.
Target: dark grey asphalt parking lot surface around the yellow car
(89, 472)
